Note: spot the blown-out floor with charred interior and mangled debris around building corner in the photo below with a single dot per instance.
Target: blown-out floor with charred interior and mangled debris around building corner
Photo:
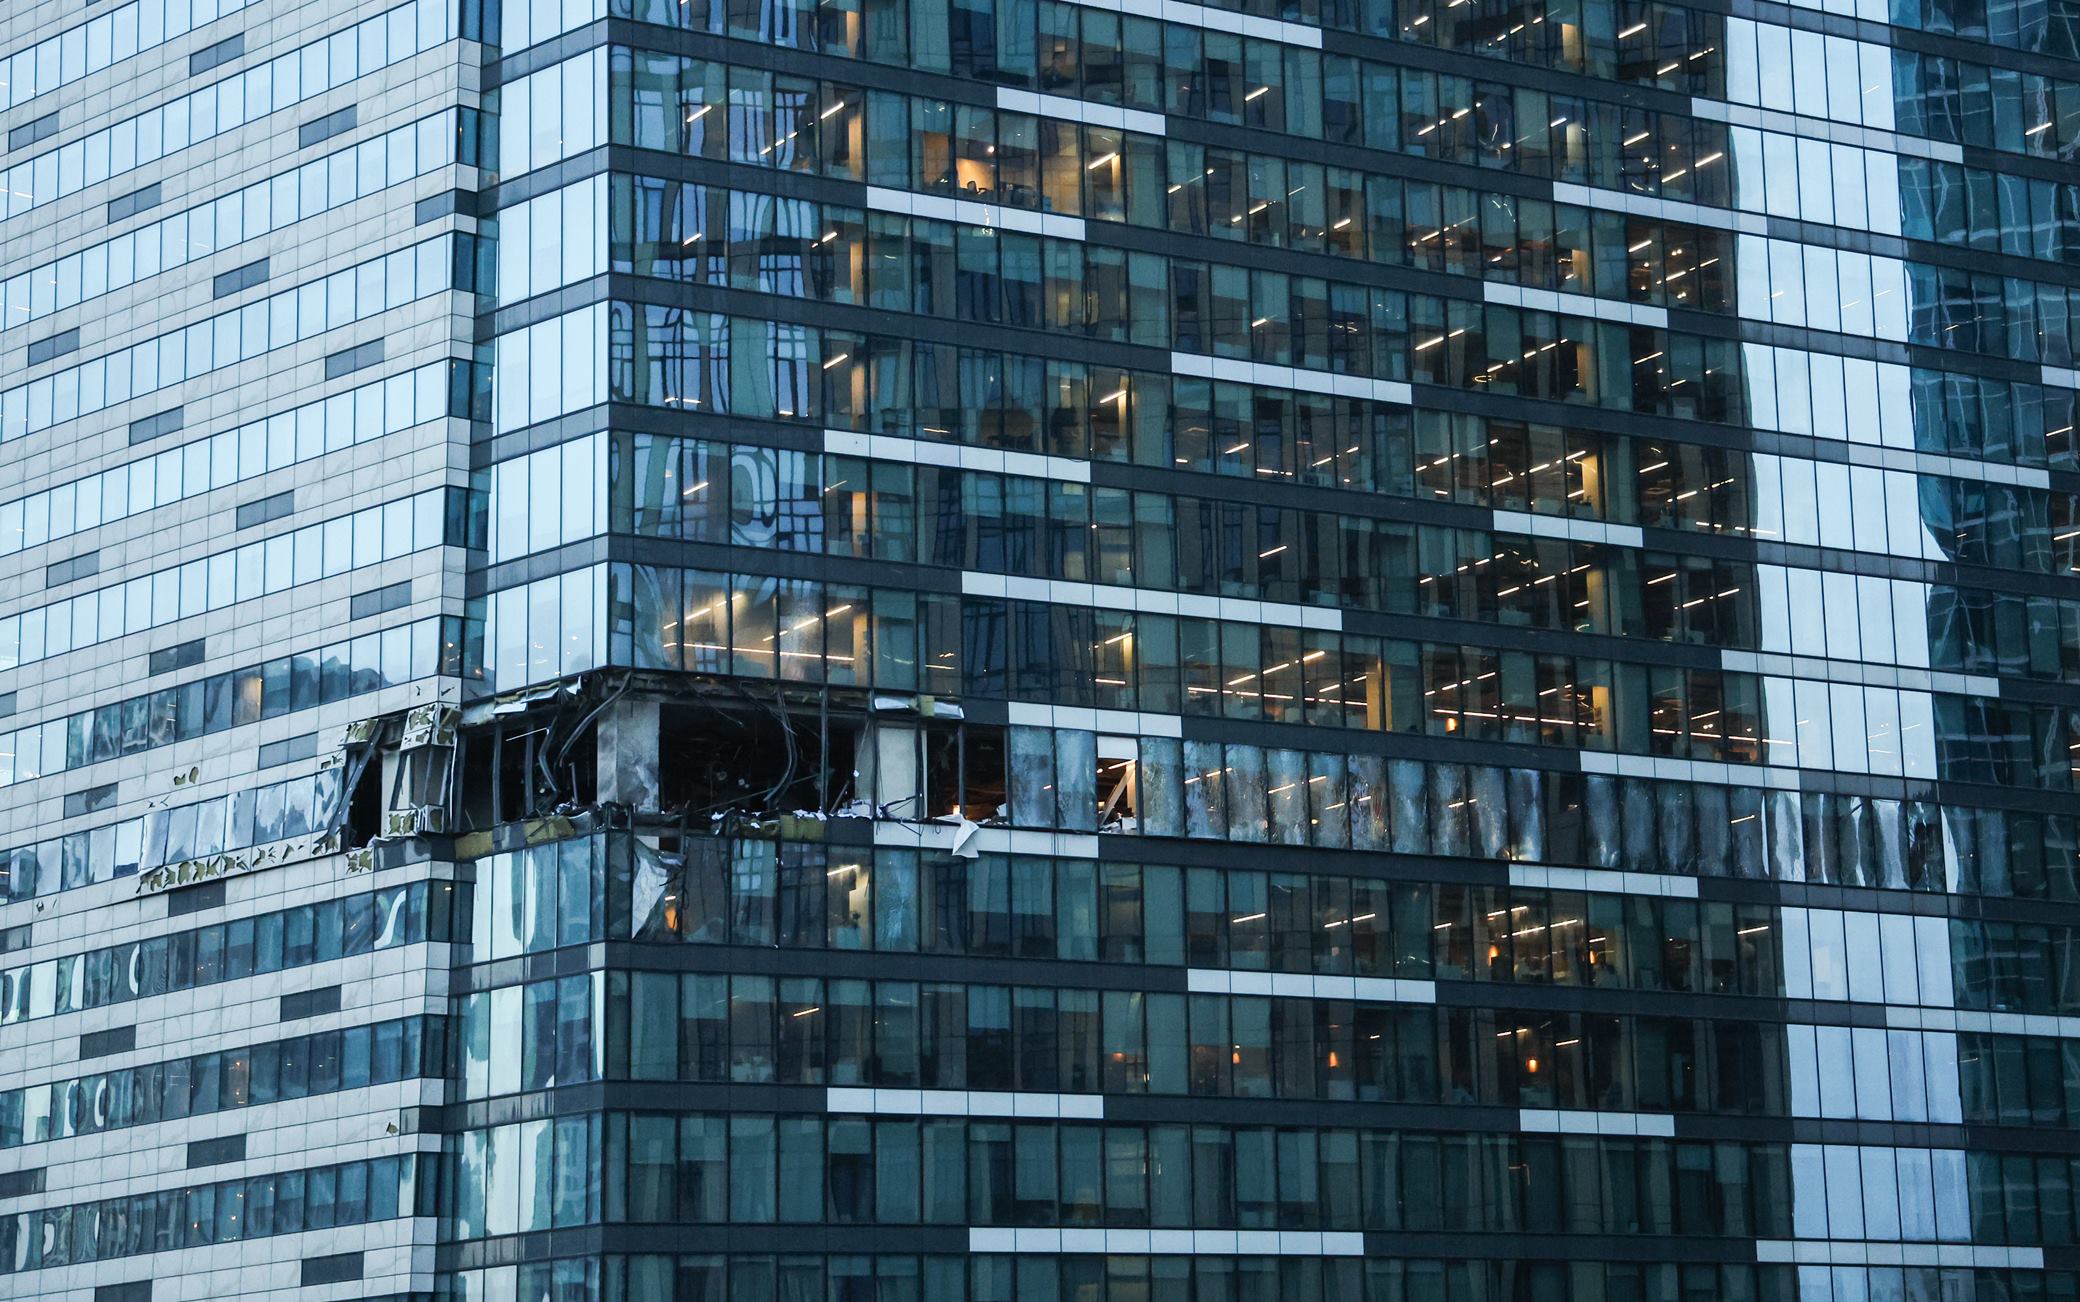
(710, 756)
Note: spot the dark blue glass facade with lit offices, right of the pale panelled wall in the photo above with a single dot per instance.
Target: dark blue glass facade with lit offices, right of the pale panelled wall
(1299, 652)
